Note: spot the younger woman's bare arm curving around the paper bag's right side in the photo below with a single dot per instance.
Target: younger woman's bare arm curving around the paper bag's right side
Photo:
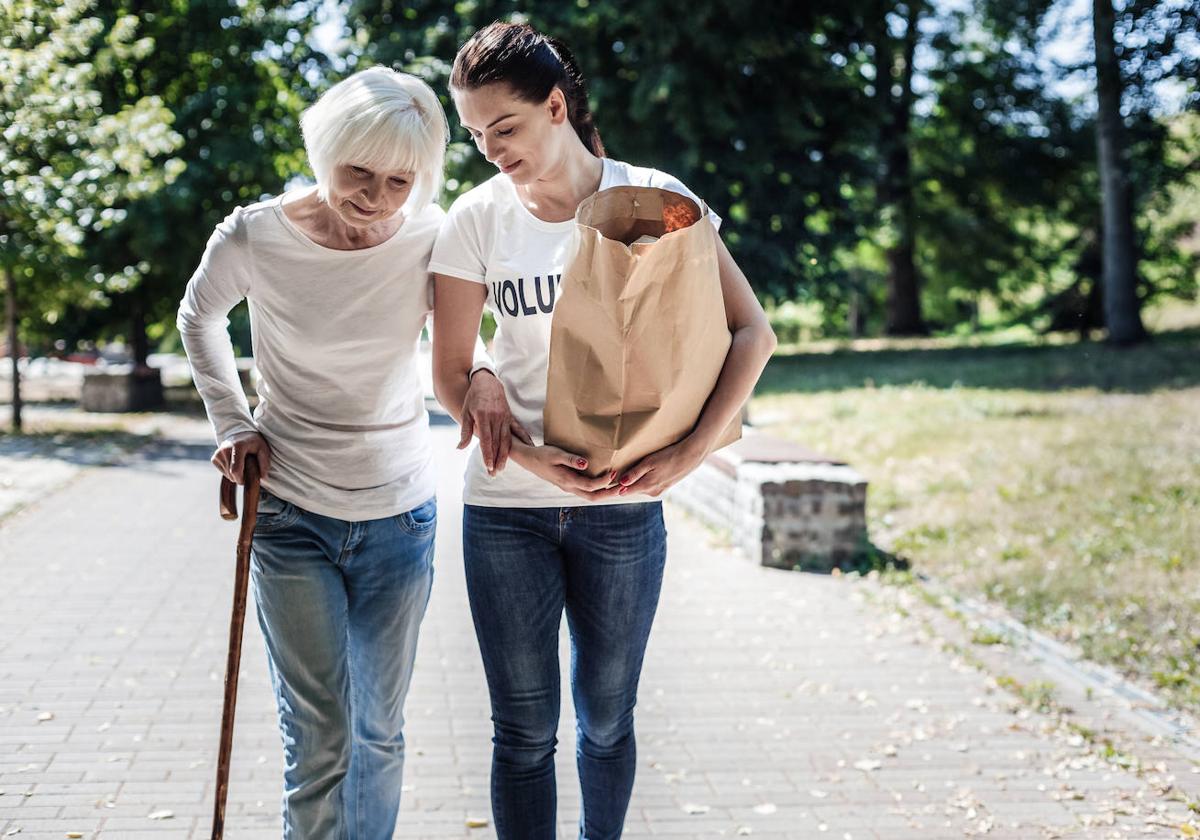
(754, 341)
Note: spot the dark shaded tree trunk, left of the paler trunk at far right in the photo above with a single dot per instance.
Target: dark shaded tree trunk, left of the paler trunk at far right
(896, 179)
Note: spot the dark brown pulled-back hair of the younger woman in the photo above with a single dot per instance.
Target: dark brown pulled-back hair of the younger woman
(532, 65)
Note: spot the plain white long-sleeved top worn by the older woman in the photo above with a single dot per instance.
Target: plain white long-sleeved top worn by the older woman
(335, 338)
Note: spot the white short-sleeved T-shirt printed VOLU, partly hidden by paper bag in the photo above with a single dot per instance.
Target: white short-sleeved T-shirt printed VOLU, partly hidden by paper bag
(490, 238)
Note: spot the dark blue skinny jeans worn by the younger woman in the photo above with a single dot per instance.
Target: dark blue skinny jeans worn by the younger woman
(525, 566)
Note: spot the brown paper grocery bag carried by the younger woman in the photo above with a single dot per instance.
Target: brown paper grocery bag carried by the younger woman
(639, 334)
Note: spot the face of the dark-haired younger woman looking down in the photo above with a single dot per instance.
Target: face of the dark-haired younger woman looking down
(520, 139)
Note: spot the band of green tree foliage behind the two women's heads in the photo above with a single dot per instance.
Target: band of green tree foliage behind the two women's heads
(845, 145)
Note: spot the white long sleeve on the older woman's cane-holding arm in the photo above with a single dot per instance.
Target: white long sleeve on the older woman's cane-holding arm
(220, 283)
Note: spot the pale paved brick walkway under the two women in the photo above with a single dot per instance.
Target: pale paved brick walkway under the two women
(775, 705)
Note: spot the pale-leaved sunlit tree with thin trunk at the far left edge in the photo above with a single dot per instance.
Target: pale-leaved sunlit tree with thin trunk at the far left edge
(65, 161)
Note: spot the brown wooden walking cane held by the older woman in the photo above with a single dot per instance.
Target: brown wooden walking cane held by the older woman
(242, 579)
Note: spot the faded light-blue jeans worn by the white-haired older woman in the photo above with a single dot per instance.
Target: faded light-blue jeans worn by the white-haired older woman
(340, 605)
